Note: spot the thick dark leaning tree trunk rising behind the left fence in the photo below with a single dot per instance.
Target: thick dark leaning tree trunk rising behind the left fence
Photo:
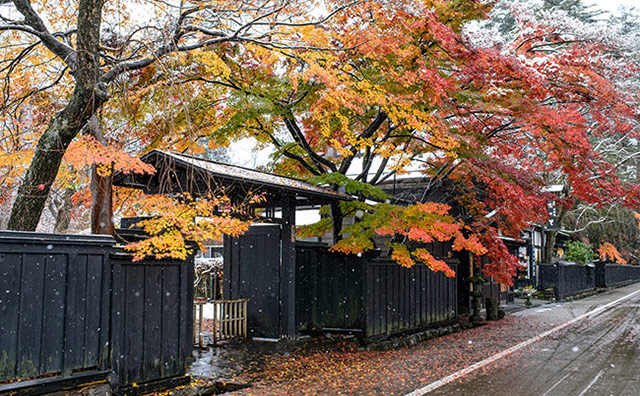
(87, 97)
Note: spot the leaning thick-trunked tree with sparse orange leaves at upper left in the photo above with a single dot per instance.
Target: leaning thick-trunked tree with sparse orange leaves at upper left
(62, 63)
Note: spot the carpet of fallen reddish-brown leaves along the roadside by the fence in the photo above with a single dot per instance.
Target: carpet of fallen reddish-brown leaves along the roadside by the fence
(341, 368)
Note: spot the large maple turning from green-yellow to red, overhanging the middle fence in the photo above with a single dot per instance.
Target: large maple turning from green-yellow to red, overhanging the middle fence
(412, 90)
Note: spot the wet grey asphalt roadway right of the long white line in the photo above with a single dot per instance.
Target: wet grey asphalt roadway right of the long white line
(599, 355)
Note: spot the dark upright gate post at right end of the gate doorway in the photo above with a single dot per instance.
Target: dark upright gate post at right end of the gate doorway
(288, 269)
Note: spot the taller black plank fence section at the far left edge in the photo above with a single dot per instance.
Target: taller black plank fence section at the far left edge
(54, 304)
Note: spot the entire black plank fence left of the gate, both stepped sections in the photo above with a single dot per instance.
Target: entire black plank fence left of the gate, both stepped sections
(73, 309)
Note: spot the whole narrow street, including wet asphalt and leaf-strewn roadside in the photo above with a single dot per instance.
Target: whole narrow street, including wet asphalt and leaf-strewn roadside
(596, 355)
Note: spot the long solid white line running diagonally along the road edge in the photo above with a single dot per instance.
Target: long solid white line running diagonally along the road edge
(461, 373)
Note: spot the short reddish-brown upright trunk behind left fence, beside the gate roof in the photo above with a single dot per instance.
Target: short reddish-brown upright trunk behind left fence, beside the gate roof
(101, 189)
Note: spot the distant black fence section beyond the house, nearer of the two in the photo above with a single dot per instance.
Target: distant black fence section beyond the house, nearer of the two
(567, 279)
